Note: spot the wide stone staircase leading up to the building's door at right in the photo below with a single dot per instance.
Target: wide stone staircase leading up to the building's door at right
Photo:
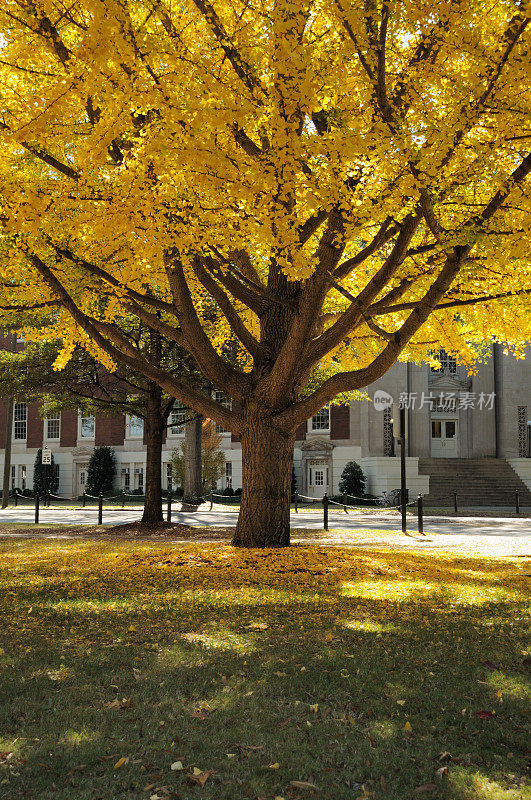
(478, 482)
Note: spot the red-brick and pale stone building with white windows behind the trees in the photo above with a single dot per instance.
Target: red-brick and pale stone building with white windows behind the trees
(458, 426)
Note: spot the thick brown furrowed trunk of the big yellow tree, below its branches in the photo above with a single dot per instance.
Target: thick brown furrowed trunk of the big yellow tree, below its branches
(267, 459)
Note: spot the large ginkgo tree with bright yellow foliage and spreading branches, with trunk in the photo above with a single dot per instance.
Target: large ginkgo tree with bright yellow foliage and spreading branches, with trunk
(345, 183)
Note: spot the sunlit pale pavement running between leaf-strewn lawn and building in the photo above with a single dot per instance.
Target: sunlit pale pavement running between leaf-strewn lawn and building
(497, 536)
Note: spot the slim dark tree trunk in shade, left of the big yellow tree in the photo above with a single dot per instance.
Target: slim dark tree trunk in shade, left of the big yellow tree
(155, 425)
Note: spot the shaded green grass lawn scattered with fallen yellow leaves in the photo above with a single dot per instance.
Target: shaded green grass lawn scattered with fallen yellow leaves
(368, 674)
